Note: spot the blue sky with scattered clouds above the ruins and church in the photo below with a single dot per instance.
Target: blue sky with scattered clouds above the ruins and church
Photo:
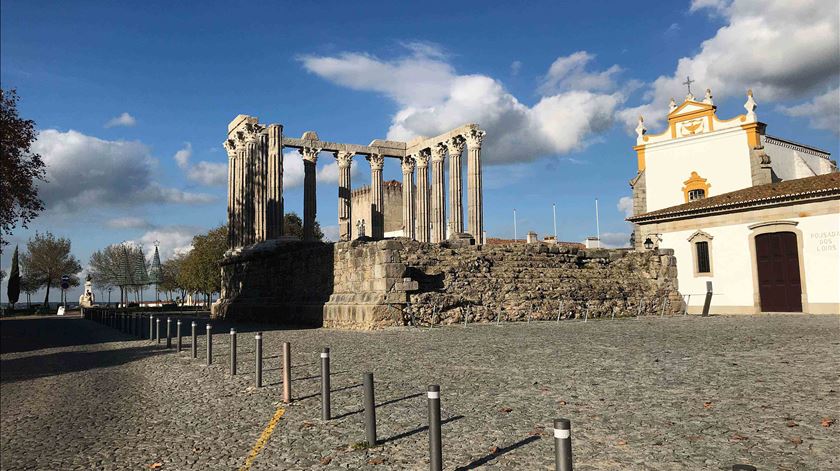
(132, 103)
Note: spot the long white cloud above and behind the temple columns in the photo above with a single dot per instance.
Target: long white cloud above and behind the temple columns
(434, 99)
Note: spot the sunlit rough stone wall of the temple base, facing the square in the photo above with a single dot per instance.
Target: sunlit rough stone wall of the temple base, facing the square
(509, 281)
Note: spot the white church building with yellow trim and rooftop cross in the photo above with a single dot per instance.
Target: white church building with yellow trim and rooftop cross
(755, 218)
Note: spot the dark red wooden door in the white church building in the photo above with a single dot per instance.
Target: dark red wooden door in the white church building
(779, 286)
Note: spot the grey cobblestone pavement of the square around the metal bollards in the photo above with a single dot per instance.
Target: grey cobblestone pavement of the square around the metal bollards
(672, 393)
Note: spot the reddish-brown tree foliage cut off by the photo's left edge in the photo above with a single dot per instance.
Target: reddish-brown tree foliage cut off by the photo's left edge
(19, 168)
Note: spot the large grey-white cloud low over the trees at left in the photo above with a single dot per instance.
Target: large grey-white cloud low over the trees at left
(86, 172)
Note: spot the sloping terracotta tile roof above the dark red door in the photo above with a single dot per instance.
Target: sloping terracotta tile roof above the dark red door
(800, 188)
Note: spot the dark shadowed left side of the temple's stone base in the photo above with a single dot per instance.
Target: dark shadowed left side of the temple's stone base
(286, 282)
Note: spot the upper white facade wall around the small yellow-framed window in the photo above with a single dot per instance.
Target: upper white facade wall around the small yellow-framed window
(721, 157)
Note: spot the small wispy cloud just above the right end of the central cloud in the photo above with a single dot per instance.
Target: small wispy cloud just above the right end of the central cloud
(569, 73)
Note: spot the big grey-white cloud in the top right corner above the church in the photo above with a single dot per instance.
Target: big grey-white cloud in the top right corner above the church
(781, 49)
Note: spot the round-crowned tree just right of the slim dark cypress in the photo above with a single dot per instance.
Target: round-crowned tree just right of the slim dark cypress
(49, 258)
